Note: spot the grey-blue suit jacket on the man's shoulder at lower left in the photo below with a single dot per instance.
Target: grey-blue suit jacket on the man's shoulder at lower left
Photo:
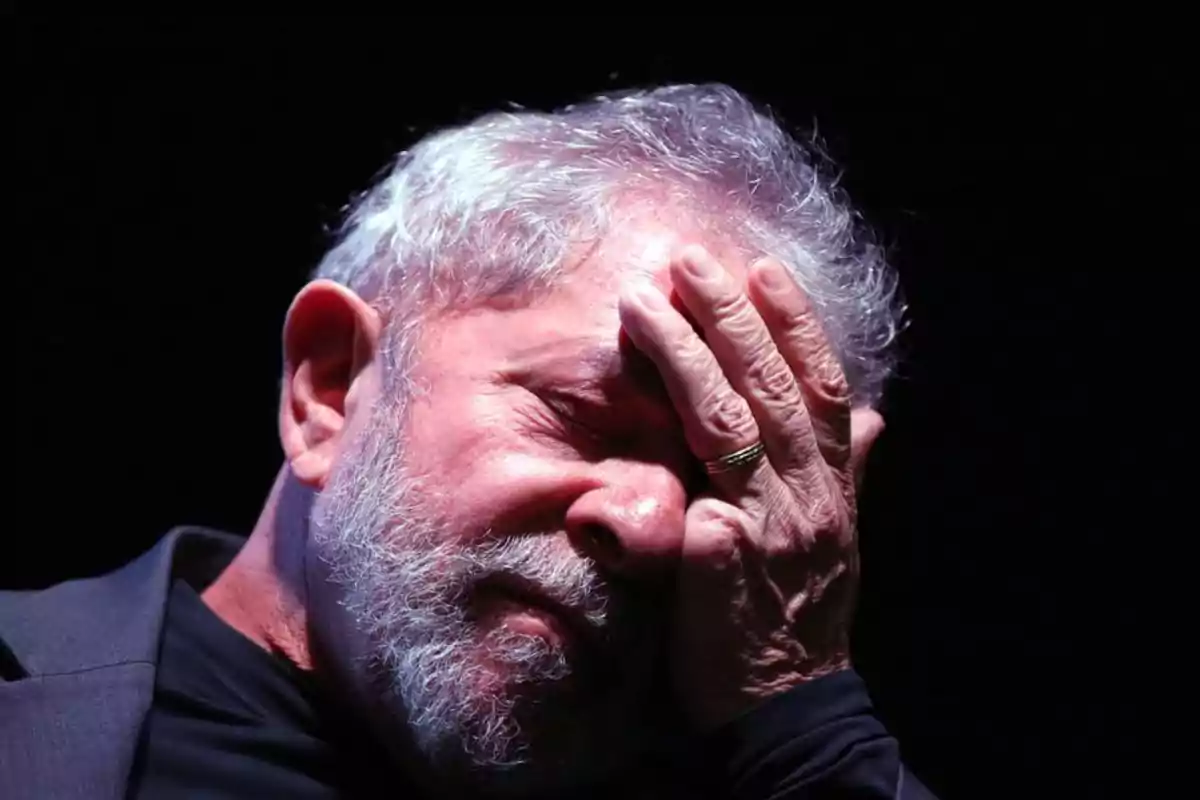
(85, 655)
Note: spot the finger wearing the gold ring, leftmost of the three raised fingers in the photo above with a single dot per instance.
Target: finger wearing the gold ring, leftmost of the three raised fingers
(716, 419)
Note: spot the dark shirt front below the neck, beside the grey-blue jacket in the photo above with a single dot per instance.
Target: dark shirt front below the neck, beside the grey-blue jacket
(231, 720)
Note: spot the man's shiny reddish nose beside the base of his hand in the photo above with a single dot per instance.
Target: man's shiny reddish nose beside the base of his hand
(633, 524)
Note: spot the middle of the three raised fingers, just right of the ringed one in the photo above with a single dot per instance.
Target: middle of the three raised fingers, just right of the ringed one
(743, 346)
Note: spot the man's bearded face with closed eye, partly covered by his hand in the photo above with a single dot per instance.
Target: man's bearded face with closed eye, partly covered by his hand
(505, 555)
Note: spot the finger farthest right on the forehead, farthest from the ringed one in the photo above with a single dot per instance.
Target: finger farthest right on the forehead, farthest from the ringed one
(802, 342)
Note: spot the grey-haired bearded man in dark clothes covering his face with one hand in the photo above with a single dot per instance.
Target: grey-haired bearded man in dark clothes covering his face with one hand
(568, 503)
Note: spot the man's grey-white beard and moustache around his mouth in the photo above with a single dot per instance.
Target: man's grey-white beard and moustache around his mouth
(482, 703)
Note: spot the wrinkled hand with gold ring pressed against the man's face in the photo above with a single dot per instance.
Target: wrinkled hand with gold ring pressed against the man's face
(770, 563)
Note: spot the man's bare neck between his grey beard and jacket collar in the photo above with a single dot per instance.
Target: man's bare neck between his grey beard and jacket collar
(262, 593)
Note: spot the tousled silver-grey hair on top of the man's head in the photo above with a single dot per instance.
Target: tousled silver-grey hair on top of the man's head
(491, 209)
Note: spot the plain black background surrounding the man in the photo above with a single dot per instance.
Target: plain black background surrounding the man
(185, 176)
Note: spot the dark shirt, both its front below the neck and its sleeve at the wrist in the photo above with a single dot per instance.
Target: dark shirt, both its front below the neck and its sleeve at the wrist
(231, 720)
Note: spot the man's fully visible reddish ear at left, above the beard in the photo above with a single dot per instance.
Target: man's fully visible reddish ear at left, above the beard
(329, 339)
